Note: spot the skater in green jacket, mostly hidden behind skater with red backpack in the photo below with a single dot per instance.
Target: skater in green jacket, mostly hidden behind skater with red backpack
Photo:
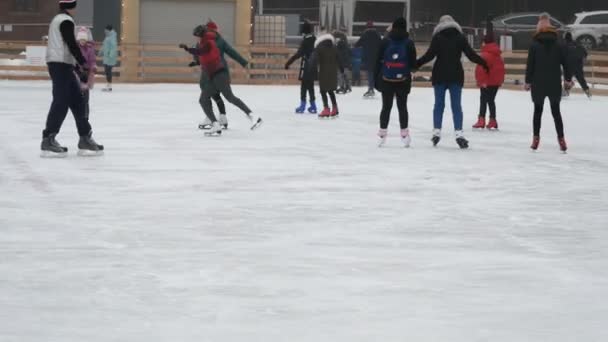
(225, 49)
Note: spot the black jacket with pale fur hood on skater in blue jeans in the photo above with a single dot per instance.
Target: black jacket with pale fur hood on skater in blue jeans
(448, 45)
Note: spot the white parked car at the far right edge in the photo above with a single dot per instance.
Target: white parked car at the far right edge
(588, 28)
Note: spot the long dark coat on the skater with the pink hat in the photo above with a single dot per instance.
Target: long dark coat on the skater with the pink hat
(546, 58)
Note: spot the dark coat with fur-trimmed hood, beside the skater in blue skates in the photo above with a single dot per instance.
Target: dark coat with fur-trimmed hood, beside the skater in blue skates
(326, 60)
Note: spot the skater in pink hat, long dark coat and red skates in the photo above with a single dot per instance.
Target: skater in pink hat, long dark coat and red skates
(546, 58)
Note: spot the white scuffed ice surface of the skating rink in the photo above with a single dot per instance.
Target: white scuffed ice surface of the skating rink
(303, 230)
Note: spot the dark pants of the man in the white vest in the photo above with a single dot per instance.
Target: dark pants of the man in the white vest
(66, 95)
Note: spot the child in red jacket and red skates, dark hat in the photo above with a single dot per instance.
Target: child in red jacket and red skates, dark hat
(489, 82)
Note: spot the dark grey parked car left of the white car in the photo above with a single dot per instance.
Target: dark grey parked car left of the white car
(522, 27)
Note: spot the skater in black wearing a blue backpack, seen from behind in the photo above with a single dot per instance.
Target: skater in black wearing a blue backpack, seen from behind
(394, 78)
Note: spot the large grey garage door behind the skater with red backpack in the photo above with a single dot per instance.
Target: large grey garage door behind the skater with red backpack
(171, 22)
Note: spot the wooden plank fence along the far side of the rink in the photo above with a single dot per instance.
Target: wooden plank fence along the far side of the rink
(161, 63)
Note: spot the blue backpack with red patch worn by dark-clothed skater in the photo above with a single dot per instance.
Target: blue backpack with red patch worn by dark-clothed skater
(395, 64)
